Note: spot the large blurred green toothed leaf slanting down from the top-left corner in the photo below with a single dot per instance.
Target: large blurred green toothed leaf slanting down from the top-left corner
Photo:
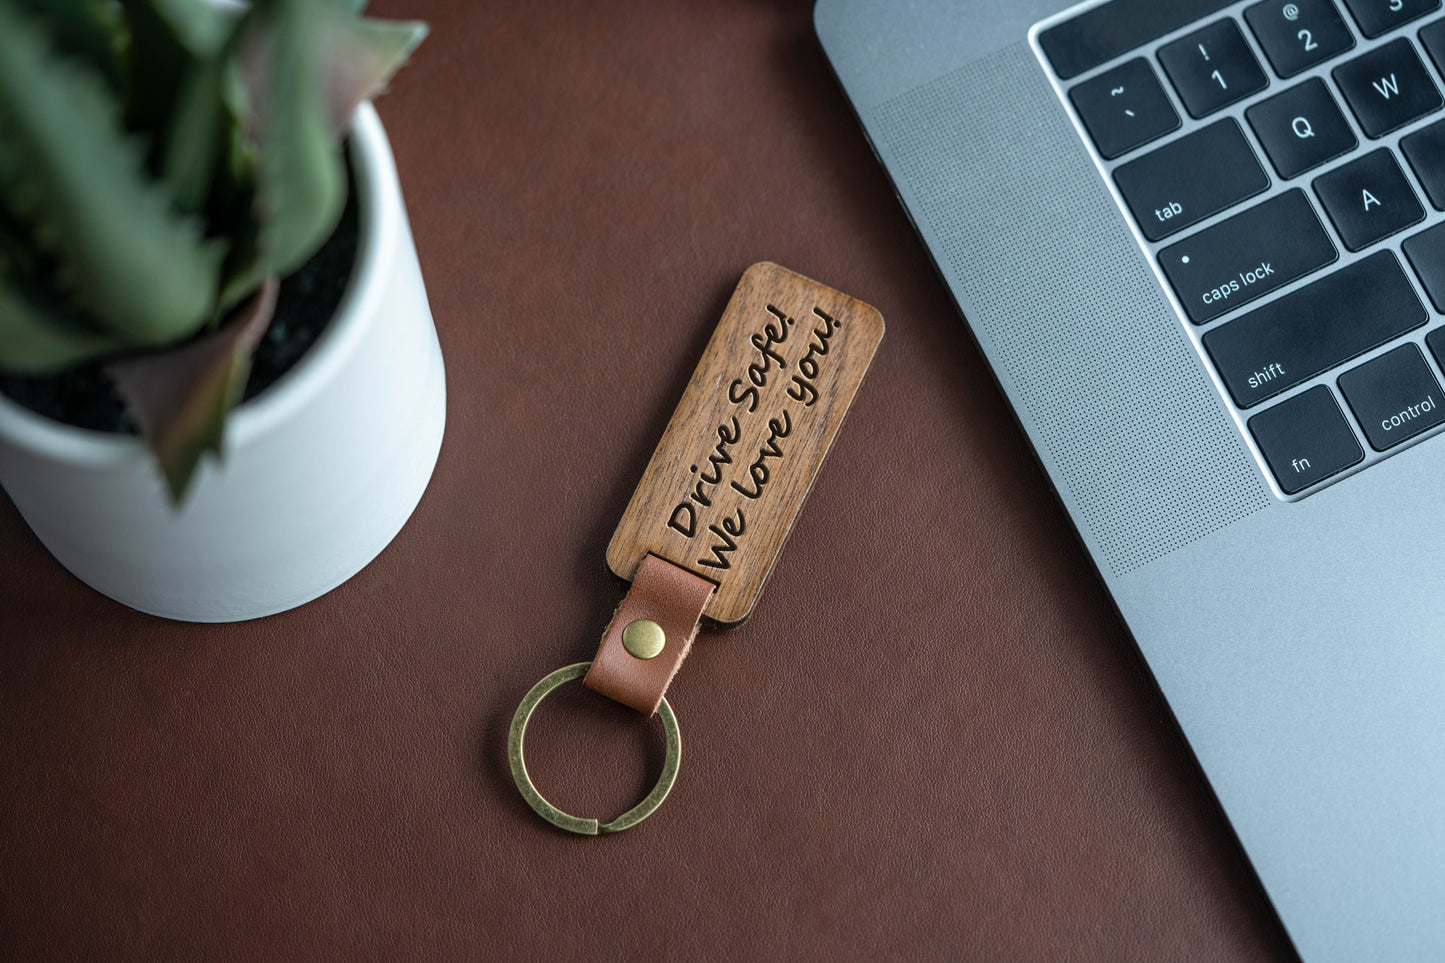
(72, 176)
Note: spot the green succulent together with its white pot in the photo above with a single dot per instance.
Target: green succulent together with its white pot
(171, 189)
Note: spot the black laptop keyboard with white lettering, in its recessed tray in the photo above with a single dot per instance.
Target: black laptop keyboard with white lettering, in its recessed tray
(1285, 167)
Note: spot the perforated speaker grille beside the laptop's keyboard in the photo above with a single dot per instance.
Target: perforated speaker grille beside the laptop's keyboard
(1110, 390)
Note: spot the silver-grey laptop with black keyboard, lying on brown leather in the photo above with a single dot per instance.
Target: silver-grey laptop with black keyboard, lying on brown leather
(1203, 248)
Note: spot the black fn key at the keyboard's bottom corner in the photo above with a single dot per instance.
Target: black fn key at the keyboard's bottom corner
(1306, 440)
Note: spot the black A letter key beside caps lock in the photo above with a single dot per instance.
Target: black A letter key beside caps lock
(1369, 199)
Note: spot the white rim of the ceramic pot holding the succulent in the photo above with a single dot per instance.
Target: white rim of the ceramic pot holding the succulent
(379, 225)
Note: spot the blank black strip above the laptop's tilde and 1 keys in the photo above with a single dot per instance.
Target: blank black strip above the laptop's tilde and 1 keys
(1113, 30)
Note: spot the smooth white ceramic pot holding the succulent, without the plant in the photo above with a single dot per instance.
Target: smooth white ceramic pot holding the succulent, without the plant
(322, 471)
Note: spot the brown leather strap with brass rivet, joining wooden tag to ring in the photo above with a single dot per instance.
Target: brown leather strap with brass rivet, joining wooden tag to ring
(673, 598)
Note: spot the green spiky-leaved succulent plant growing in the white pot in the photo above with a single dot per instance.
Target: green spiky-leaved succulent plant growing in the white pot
(163, 164)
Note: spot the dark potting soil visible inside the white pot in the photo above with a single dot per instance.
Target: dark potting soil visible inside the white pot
(85, 397)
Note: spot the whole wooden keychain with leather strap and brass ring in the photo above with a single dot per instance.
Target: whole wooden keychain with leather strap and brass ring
(719, 500)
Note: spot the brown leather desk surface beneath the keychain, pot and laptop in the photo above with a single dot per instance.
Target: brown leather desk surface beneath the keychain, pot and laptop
(931, 741)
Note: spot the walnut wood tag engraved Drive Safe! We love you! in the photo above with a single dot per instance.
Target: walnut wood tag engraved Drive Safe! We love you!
(749, 436)
